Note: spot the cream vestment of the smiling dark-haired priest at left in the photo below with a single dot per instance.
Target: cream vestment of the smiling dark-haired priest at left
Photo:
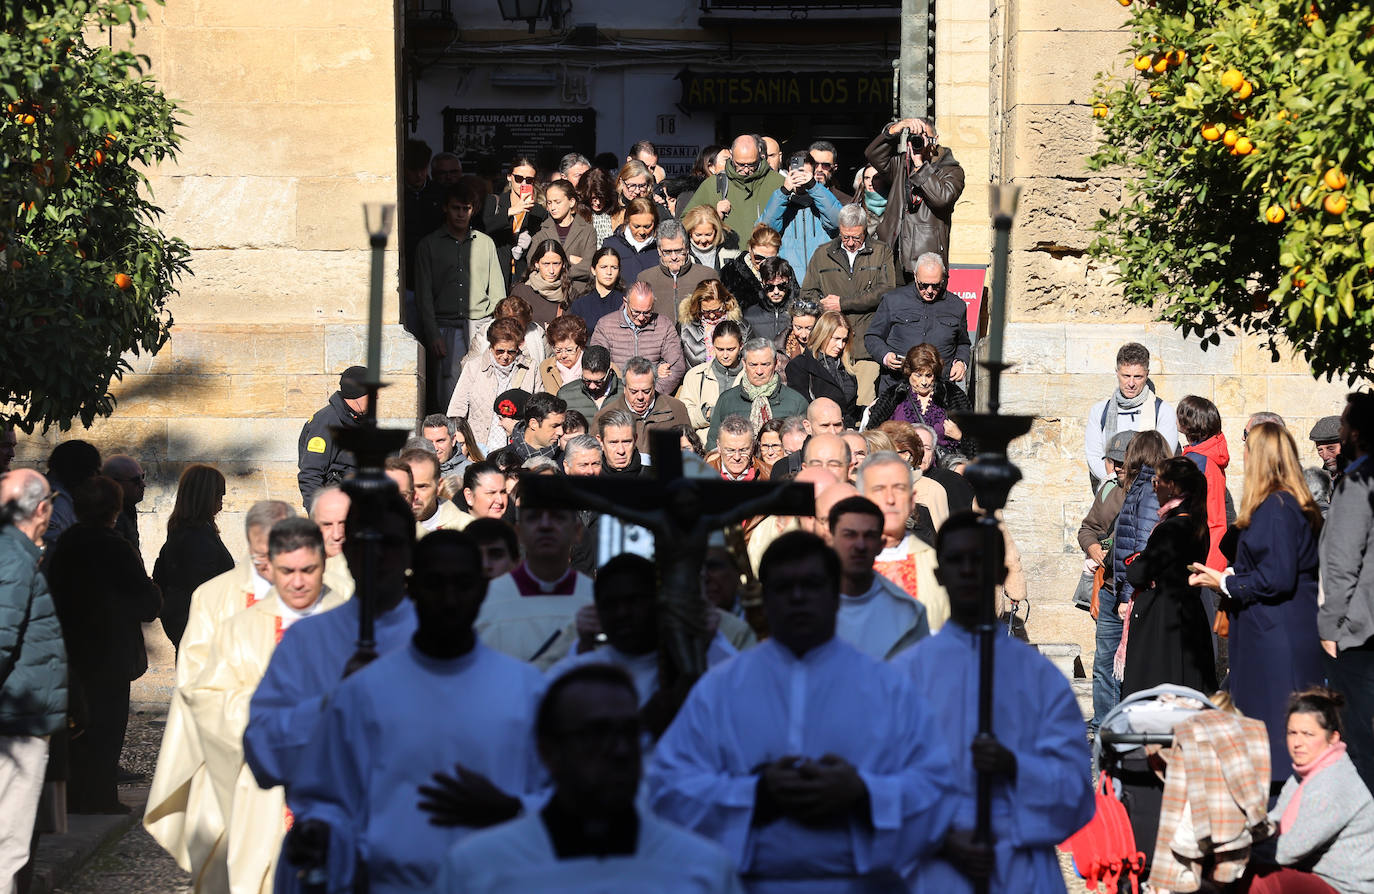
(256, 819)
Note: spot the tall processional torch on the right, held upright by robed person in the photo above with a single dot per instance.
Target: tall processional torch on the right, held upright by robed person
(993, 476)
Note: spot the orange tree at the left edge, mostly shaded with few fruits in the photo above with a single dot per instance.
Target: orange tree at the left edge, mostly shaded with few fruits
(86, 271)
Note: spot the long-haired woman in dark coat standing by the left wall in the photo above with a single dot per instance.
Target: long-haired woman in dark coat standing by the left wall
(193, 553)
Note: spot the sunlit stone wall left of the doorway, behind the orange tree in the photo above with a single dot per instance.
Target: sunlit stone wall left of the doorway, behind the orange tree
(291, 123)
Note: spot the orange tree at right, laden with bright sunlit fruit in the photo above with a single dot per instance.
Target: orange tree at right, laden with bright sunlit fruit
(1243, 131)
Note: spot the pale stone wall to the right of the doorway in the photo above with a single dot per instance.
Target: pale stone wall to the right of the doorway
(1066, 317)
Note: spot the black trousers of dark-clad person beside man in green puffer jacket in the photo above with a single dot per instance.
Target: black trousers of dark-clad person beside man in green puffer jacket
(95, 752)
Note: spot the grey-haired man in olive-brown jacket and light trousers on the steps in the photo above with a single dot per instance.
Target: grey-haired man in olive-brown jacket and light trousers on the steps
(851, 274)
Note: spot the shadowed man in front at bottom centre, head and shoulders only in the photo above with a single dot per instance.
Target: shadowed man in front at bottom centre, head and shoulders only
(590, 838)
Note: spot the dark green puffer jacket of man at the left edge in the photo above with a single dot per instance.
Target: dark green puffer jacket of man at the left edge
(34, 661)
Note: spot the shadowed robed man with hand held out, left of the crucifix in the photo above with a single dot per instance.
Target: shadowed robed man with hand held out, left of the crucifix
(446, 698)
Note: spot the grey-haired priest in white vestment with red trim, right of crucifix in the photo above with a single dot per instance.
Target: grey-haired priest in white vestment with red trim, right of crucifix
(906, 561)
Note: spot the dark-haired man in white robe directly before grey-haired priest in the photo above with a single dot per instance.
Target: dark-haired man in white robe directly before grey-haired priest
(875, 616)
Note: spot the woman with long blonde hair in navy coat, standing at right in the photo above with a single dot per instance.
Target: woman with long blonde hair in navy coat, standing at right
(1270, 588)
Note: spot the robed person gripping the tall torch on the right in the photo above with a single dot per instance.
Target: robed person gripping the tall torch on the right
(1039, 752)
